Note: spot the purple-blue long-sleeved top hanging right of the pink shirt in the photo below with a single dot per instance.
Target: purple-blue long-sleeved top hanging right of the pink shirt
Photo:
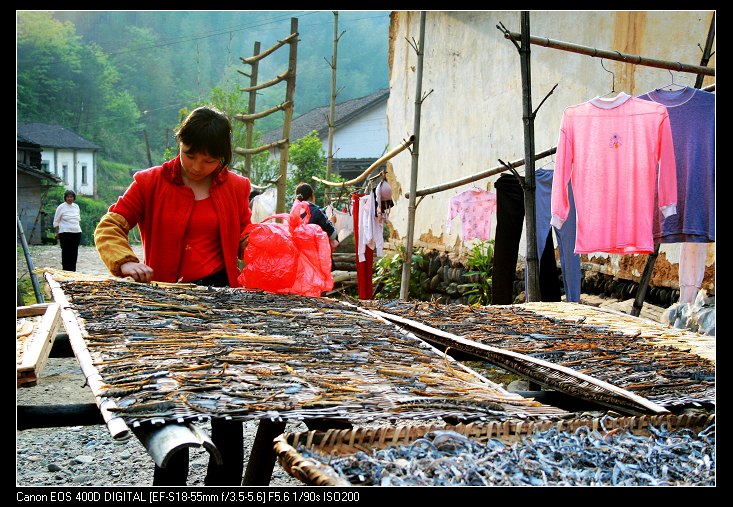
(692, 120)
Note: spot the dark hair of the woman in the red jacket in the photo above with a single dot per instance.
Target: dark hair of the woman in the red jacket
(207, 130)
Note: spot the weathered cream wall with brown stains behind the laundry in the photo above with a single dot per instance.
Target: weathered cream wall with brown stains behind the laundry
(472, 115)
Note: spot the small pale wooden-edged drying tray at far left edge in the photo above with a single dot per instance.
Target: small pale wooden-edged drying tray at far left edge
(35, 332)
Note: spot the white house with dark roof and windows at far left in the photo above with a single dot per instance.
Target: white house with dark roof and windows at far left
(65, 154)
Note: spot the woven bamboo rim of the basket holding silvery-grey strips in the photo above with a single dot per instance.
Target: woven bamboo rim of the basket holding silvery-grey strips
(340, 443)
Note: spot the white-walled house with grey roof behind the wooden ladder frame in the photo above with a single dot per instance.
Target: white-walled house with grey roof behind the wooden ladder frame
(360, 132)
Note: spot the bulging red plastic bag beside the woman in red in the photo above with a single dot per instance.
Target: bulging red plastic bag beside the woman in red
(271, 257)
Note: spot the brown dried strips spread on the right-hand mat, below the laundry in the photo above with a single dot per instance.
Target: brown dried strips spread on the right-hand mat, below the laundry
(664, 374)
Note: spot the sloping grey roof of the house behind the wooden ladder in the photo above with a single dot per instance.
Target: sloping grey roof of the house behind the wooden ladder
(317, 119)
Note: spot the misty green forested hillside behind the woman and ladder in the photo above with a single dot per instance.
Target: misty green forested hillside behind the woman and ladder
(122, 79)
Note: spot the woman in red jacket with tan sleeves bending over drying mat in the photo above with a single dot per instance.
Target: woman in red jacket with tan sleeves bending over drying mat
(191, 211)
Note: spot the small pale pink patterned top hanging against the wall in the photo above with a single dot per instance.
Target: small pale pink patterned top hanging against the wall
(476, 208)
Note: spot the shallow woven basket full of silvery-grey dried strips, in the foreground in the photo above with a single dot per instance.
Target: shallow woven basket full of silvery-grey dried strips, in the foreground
(578, 455)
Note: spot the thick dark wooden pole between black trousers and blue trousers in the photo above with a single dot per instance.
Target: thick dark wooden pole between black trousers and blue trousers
(532, 263)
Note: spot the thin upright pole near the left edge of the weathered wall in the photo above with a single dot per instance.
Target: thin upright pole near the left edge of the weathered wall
(407, 261)
